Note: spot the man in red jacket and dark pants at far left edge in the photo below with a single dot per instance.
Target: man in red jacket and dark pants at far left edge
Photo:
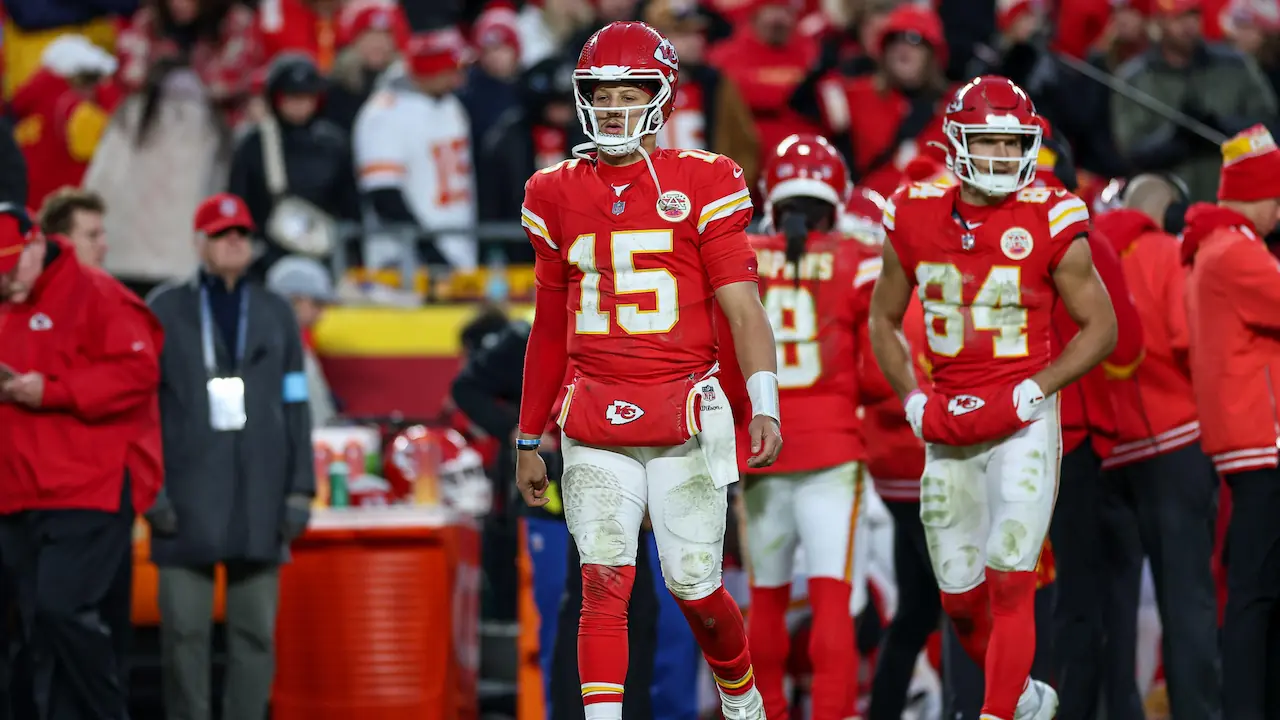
(80, 368)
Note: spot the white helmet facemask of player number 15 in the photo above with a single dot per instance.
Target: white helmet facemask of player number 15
(651, 115)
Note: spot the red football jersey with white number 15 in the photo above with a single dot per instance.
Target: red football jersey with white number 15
(641, 274)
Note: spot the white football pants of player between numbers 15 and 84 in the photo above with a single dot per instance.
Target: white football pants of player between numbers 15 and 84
(816, 511)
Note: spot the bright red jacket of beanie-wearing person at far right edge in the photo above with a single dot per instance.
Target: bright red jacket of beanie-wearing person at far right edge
(1232, 299)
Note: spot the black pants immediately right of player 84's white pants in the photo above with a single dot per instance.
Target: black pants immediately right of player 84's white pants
(1081, 596)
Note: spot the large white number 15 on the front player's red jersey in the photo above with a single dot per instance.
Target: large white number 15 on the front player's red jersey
(659, 282)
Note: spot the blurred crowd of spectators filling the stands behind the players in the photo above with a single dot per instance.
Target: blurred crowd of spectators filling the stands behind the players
(381, 136)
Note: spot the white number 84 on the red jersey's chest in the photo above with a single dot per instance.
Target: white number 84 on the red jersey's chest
(996, 308)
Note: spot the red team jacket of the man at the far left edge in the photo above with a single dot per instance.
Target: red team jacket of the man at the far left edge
(98, 347)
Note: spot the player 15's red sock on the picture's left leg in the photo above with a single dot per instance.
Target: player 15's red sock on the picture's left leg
(602, 639)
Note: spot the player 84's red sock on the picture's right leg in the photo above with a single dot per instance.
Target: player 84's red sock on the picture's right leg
(1013, 640)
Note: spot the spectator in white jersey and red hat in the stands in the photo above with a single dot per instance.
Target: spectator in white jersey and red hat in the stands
(413, 147)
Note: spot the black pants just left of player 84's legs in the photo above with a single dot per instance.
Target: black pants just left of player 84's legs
(920, 609)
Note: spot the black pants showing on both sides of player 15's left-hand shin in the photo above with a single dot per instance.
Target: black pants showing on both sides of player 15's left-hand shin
(642, 644)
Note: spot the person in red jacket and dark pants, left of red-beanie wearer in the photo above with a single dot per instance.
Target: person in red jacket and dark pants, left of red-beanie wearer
(1159, 484)
